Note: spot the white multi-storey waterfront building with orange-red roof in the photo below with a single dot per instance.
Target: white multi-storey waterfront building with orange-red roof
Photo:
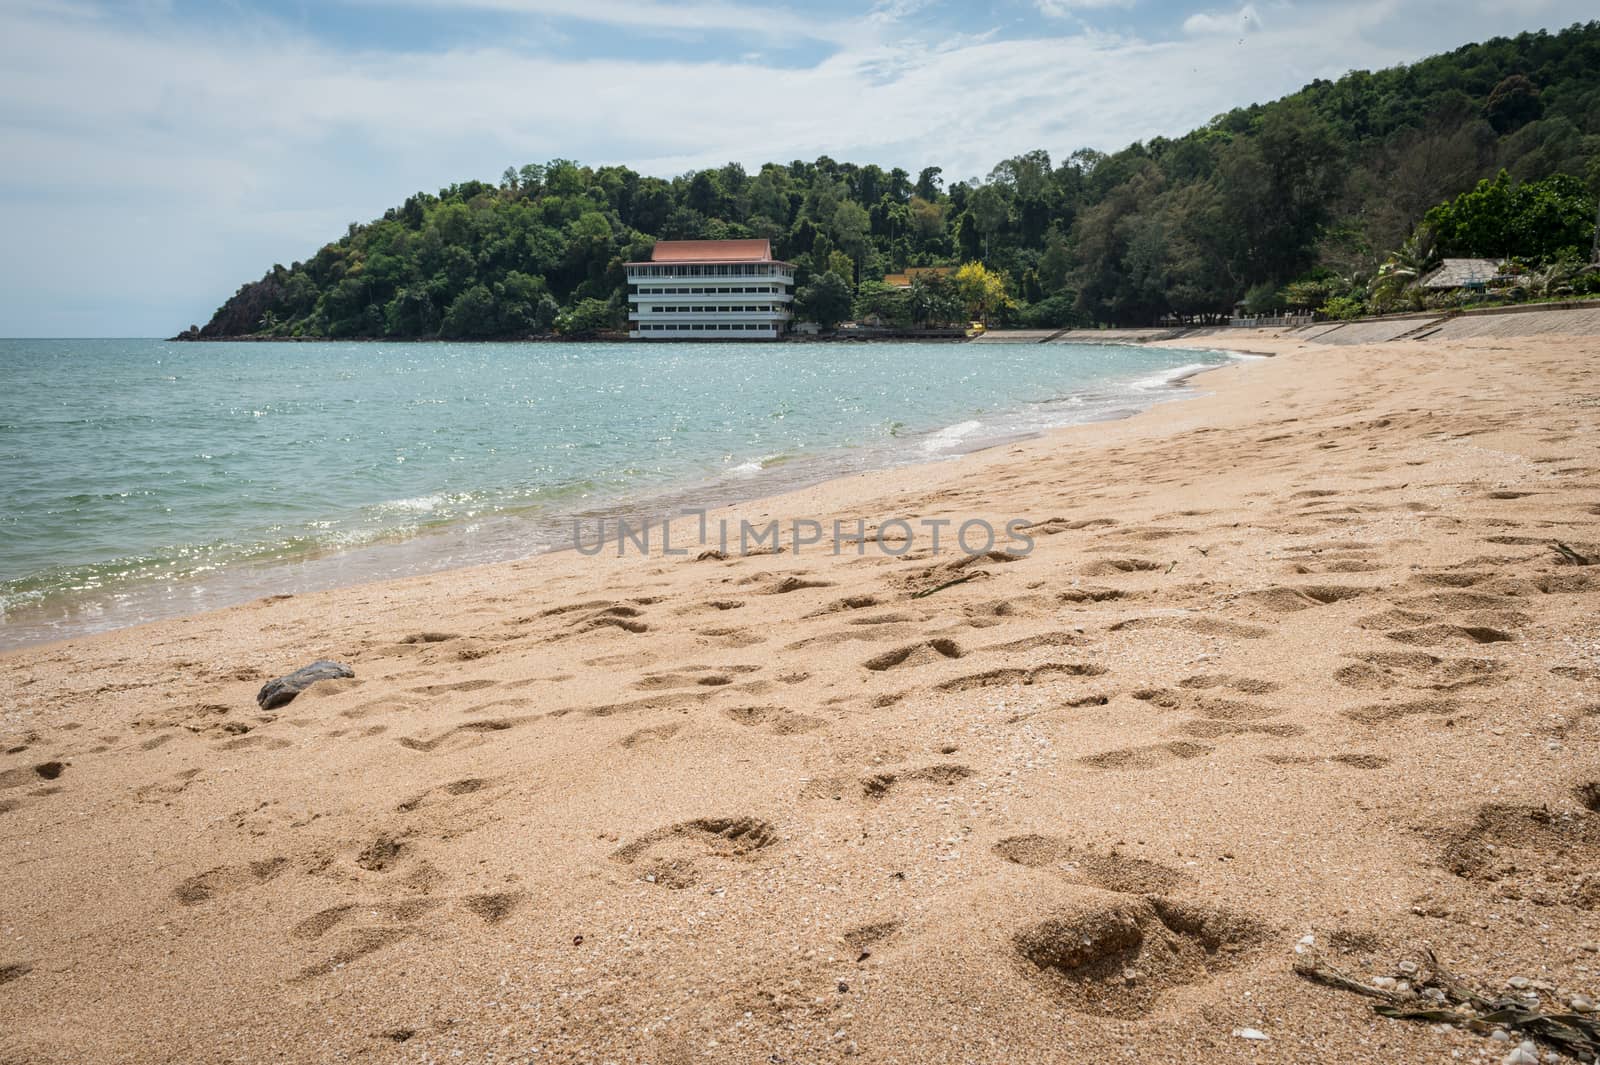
(724, 290)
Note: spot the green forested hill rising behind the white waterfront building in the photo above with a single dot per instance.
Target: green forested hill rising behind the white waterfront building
(1305, 201)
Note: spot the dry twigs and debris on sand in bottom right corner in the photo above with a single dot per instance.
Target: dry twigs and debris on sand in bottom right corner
(1434, 995)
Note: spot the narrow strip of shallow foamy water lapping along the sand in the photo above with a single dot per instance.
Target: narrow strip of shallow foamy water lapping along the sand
(495, 540)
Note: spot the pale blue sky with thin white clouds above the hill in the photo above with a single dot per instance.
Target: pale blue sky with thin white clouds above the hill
(158, 154)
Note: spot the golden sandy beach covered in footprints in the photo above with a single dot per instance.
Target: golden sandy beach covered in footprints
(1297, 658)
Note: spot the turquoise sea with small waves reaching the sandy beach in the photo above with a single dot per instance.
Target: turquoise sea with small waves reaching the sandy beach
(143, 479)
